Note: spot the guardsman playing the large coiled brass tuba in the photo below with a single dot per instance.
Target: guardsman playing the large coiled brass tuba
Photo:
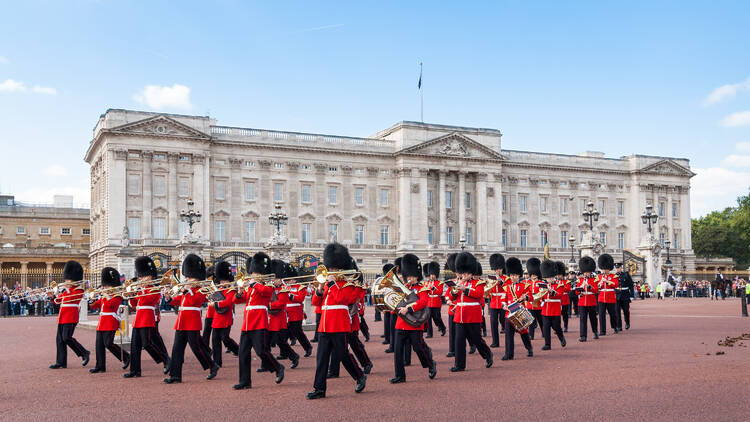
(412, 270)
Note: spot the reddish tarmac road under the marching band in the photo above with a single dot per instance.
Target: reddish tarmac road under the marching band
(664, 368)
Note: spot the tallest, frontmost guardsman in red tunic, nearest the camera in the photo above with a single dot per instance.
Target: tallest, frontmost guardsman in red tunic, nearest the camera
(335, 322)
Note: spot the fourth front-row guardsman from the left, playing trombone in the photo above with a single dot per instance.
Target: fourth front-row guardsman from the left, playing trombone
(188, 324)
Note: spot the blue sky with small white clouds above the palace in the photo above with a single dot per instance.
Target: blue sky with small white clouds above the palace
(659, 78)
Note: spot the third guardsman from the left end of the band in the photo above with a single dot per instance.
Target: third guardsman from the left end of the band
(144, 331)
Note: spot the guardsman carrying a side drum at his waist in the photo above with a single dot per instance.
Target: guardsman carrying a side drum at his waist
(515, 293)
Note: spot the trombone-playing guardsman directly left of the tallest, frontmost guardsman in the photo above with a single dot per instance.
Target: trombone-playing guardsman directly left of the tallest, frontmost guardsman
(257, 297)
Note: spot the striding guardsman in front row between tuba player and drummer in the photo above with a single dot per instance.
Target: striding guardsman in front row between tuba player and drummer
(468, 315)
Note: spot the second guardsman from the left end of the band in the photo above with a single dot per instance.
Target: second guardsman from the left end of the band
(109, 323)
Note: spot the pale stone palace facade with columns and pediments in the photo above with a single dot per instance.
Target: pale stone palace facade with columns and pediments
(412, 187)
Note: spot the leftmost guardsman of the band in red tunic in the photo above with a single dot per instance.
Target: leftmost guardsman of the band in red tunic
(69, 299)
